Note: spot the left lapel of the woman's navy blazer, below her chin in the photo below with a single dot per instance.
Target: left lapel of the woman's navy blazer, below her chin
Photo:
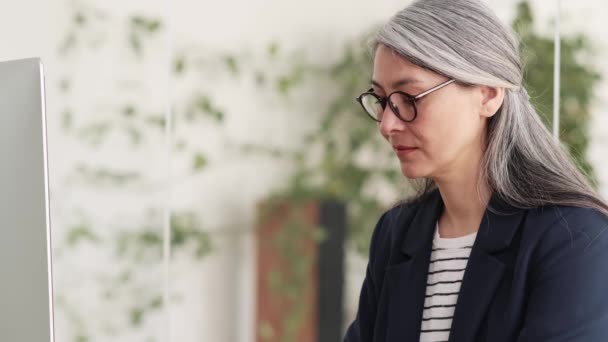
(406, 281)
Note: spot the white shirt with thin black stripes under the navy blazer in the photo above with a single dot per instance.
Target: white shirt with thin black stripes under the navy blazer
(449, 259)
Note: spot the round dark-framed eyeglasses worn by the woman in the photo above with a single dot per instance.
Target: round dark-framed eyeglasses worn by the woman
(402, 104)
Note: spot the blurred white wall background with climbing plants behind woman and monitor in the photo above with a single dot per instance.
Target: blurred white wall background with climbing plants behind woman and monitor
(272, 173)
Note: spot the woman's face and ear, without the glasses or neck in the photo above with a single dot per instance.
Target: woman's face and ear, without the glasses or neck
(447, 132)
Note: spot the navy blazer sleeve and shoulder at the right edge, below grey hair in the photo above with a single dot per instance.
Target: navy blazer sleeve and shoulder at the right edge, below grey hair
(566, 275)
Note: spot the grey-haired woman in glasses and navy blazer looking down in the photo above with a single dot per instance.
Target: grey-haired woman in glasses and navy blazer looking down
(506, 241)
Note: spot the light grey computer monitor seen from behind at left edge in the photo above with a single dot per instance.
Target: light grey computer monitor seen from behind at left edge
(26, 292)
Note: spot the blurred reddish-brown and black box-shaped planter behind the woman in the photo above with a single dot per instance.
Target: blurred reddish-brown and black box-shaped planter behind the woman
(300, 271)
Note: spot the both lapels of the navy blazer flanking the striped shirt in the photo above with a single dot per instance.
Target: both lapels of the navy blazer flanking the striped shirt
(406, 280)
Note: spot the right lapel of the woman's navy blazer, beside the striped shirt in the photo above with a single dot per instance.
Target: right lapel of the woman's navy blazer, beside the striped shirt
(484, 272)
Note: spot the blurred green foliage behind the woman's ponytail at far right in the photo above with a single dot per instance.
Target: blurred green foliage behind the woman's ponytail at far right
(579, 78)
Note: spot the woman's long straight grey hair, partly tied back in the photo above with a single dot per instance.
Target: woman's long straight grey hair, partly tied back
(465, 40)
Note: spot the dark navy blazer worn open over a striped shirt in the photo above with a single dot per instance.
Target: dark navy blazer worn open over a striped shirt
(537, 275)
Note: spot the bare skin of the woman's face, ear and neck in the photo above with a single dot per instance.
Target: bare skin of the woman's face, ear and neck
(448, 134)
